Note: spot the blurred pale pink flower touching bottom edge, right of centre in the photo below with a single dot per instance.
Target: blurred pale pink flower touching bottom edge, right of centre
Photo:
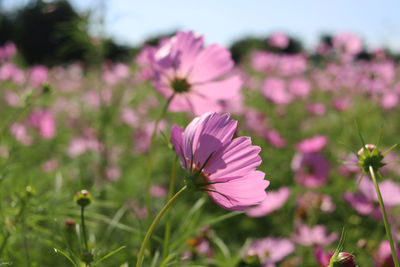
(270, 250)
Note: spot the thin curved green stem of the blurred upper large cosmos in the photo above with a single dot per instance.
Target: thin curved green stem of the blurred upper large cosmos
(150, 159)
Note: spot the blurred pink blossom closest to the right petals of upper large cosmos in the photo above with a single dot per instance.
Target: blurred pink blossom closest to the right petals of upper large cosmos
(274, 89)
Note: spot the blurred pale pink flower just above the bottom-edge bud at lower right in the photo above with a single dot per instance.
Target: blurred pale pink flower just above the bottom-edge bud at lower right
(316, 235)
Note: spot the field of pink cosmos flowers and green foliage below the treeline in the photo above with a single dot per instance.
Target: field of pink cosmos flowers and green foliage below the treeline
(185, 157)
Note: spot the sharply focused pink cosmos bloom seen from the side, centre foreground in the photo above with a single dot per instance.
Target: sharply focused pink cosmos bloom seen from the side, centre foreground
(224, 168)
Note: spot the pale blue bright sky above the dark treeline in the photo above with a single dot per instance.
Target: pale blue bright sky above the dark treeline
(223, 21)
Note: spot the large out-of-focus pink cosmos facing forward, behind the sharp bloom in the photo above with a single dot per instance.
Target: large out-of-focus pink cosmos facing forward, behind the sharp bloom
(195, 76)
